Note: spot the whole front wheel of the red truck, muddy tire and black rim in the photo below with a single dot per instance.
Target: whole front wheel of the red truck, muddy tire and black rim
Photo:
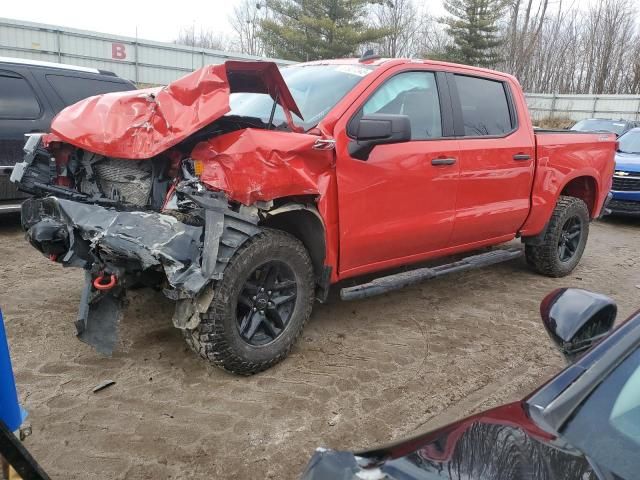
(259, 307)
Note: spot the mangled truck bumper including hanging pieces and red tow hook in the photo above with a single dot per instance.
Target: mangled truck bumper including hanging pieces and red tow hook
(133, 248)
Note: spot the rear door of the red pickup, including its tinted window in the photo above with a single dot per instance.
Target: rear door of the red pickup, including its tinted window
(497, 159)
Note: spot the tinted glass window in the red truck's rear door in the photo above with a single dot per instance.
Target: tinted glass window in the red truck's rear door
(485, 108)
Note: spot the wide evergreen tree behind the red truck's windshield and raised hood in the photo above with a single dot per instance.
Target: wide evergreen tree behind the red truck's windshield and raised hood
(317, 29)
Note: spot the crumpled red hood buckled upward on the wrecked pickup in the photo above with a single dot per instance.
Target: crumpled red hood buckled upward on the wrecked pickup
(140, 124)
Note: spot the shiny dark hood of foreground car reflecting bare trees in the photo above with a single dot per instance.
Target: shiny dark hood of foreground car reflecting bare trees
(500, 444)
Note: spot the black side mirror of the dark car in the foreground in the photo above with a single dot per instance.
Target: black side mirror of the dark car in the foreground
(576, 319)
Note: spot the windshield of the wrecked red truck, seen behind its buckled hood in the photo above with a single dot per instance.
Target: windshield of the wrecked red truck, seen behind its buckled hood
(315, 88)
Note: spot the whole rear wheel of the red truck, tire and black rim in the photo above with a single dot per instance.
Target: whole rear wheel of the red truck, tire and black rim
(564, 241)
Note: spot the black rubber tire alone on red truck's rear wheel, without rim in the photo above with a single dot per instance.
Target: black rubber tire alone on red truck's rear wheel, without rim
(544, 258)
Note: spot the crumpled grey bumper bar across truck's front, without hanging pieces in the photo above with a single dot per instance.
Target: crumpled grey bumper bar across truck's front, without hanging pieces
(82, 235)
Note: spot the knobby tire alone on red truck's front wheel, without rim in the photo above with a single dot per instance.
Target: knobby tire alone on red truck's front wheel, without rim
(217, 338)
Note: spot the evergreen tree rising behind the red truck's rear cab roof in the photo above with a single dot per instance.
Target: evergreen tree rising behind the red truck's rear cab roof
(473, 26)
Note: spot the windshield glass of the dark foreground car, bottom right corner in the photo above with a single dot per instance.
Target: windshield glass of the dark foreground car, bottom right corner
(607, 425)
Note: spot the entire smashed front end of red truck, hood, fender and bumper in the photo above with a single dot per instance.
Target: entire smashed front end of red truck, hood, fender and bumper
(159, 188)
